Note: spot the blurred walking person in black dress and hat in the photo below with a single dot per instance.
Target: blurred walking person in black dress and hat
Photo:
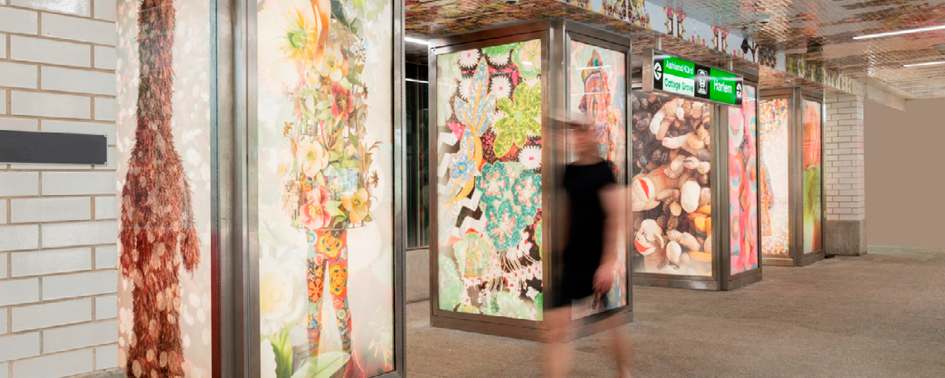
(592, 219)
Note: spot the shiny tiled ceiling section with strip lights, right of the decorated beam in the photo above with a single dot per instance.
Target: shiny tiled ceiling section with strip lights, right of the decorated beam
(823, 31)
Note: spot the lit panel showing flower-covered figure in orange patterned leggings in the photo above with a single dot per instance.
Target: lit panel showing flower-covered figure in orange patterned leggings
(325, 190)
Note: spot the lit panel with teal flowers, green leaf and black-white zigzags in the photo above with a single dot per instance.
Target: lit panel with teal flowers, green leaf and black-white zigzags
(490, 185)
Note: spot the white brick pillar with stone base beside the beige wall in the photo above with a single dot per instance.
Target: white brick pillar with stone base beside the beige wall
(844, 175)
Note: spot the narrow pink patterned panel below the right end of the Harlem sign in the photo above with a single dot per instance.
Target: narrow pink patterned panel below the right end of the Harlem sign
(743, 182)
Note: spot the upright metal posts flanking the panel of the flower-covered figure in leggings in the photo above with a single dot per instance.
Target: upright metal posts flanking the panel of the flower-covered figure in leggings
(240, 277)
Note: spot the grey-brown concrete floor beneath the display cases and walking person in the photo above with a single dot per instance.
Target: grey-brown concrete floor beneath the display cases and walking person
(879, 315)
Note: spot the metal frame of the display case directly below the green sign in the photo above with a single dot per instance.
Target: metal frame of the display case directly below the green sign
(722, 277)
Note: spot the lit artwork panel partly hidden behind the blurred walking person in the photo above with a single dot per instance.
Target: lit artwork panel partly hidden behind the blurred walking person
(598, 88)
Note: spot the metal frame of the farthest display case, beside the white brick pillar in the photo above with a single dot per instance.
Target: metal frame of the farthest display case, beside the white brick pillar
(794, 95)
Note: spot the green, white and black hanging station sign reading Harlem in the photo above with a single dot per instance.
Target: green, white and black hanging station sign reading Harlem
(682, 77)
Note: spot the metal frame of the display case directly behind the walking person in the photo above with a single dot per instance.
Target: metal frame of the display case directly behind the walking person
(553, 33)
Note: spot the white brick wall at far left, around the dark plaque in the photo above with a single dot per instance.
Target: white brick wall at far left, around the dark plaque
(57, 222)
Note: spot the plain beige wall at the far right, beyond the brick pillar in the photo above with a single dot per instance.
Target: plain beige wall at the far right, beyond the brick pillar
(905, 179)
